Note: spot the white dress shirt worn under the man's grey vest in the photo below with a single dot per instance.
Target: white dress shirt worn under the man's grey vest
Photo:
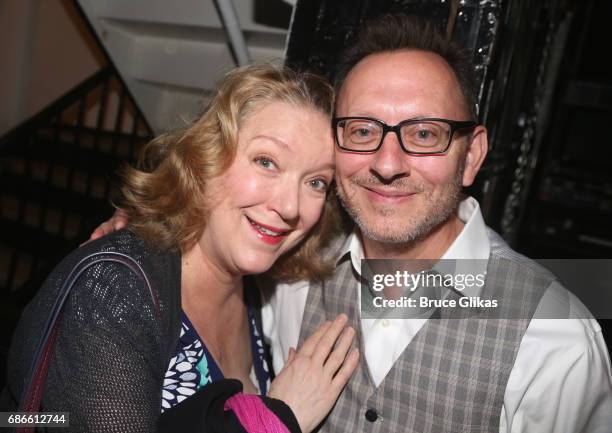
(561, 381)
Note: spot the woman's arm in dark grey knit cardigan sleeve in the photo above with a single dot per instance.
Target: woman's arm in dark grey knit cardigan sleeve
(107, 367)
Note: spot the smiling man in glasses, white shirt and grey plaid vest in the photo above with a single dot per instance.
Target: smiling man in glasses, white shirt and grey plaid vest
(399, 177)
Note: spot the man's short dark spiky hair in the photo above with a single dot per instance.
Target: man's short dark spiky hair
(394, 32)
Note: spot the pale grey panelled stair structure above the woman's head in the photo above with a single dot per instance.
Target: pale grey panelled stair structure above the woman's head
(171, 54)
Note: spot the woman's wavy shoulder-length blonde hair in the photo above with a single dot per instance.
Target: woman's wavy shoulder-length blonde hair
(165, 196)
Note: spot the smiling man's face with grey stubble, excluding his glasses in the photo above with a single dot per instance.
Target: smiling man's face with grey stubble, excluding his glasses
(392, 196)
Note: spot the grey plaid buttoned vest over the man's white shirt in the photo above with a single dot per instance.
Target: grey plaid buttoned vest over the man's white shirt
(453, 374)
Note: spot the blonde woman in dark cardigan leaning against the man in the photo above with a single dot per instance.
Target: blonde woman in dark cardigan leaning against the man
(225, 198)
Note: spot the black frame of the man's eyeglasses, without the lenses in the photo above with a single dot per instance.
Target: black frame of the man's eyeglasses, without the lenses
(455, 125)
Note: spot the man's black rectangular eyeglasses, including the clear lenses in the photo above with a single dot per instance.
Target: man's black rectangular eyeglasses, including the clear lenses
(416, 136)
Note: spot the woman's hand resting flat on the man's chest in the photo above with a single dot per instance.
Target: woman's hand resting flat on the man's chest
(313, 377)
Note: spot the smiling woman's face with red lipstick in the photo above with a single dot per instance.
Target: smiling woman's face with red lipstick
(274, 191)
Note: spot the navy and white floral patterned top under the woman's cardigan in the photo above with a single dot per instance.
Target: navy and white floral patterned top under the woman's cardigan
(193, 366)
